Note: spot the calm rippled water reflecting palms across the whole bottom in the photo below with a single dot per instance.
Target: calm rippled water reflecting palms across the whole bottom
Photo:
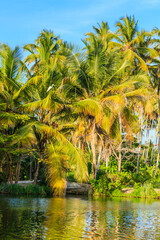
(78, 218)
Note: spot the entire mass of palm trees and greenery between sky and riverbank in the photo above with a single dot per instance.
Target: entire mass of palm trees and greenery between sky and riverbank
(90, 114)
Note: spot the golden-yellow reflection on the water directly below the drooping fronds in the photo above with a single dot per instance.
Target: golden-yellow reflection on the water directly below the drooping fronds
(65, 219)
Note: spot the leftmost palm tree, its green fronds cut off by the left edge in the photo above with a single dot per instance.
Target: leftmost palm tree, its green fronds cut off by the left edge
(11, 76)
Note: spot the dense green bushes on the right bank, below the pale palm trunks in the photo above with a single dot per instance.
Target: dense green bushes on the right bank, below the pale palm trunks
(111, 183)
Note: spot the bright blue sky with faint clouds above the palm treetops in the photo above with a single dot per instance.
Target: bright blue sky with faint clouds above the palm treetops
(22, 20)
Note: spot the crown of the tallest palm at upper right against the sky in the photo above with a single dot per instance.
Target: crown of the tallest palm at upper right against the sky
(135, 45)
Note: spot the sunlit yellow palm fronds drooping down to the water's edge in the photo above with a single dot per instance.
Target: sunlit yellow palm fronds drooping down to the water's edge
(60, 158)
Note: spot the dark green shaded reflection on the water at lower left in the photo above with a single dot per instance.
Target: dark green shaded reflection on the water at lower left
(19, 220)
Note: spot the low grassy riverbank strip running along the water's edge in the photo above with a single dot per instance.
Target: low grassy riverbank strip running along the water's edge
(27, 188)
